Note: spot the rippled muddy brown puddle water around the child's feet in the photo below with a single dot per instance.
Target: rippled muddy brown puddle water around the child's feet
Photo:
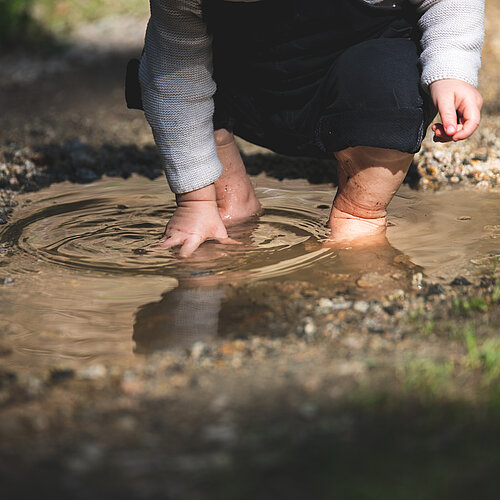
(87, 287)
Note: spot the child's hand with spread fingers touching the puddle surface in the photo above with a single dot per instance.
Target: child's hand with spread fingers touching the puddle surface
(195, 220)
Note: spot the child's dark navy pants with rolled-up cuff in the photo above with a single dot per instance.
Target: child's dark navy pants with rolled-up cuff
(311, 78)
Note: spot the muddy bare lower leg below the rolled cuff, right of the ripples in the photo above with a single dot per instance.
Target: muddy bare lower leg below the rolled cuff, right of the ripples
(368, 180)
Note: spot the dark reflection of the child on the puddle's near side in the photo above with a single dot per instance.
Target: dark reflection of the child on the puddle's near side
(203, 308)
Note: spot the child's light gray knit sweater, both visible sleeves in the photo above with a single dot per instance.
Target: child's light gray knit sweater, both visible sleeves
(177, 84)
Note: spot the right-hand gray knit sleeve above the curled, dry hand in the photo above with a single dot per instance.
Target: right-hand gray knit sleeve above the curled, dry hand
(452, 39)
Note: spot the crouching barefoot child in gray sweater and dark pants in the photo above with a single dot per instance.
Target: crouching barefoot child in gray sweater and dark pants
(356, 79)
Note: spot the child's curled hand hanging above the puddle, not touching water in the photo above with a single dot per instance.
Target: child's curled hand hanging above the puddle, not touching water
(459, 105)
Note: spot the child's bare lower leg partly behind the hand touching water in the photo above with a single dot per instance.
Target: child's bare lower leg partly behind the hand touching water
(235, 194)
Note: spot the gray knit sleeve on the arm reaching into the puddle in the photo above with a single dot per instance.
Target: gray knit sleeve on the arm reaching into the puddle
(177, 90)
